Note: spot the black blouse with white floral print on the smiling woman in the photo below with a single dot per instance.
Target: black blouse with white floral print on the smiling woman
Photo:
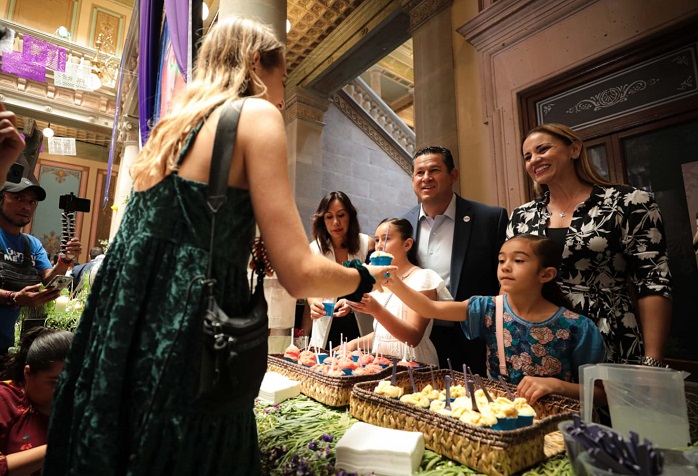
(616, 238)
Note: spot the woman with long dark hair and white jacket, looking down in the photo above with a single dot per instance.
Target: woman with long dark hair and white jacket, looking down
(337, 236)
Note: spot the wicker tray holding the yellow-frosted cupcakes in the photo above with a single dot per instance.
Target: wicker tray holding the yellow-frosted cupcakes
(489, 451)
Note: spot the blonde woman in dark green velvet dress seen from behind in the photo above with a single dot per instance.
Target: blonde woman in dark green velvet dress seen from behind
(128, 400)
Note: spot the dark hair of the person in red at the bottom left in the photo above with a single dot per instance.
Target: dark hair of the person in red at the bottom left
(40, 348)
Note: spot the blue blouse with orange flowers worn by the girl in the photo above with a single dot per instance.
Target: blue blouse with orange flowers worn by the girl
(555, 347)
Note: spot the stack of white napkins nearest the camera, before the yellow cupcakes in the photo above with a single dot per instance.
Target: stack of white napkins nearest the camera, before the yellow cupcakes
(368, 448)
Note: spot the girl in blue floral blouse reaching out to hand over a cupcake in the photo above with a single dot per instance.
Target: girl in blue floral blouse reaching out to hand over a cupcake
(544, 342)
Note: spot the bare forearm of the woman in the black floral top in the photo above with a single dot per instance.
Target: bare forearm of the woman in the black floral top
(655, 318)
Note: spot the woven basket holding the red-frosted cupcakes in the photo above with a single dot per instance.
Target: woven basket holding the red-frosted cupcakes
(332, 391)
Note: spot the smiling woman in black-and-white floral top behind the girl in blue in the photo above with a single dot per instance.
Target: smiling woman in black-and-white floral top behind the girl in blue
(614, 261)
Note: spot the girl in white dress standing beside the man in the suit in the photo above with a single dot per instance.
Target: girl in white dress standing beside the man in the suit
(398, 330)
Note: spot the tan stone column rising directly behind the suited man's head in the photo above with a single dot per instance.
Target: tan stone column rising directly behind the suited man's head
(435, 108)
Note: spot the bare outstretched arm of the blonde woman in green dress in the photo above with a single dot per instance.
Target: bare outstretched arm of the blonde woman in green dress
(266, 171)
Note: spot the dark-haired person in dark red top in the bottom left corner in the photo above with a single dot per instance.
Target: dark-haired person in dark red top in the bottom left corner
(26, 393)
